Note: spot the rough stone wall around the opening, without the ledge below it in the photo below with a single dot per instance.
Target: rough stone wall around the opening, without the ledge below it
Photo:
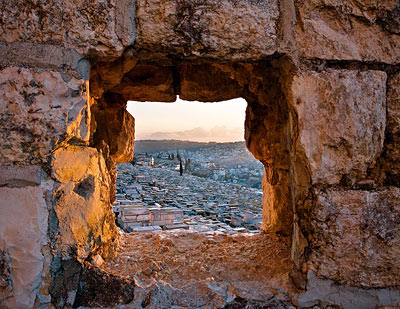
(321, 79)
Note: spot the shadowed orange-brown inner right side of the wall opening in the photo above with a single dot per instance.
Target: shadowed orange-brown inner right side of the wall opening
(267, 136)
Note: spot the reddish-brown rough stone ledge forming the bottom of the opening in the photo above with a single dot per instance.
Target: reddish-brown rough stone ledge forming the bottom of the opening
(192, 269)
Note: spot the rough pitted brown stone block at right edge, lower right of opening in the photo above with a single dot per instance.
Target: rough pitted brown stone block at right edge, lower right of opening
(356, 237)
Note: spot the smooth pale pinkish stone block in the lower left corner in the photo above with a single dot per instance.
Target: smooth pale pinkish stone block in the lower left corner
(23, 232)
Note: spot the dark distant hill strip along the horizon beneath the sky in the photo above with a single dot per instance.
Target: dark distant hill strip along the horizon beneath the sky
(150, 146)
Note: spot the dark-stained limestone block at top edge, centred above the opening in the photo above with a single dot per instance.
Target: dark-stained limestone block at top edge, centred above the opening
(218, 29)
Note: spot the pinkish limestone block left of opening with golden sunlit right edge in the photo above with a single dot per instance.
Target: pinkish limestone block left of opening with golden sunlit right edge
(38, 109)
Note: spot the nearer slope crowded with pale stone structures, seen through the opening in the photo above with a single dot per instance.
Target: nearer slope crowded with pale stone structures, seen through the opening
(154, 198)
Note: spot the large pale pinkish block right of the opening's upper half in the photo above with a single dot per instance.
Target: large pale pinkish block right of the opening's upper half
(342, 120)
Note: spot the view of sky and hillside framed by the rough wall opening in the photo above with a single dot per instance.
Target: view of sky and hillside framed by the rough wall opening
(191, 170)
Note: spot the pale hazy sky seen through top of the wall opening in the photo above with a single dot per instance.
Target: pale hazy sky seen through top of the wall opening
(189, 120)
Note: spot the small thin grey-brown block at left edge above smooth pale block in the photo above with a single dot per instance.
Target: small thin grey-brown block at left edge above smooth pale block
(20, 176)
